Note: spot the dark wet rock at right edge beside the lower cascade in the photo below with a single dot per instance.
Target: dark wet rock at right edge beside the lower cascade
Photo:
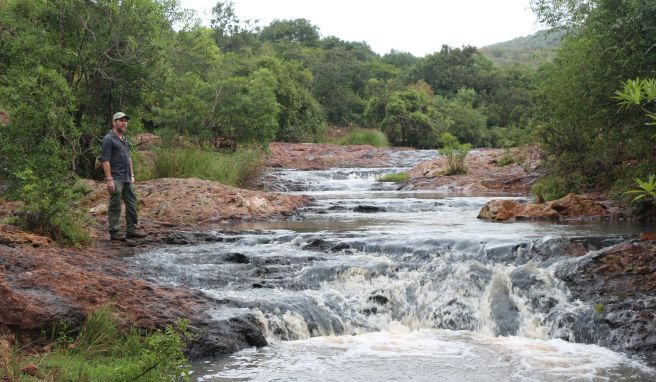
(620, 281)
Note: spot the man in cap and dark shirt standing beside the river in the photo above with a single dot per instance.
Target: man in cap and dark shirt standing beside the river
(117, 165)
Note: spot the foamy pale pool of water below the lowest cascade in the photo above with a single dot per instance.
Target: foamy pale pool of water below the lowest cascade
(401, 354)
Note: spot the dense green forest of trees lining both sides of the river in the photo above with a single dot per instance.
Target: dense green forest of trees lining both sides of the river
(67, 65)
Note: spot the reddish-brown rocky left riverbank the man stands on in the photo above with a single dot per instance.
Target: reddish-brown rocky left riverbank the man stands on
(43, 284)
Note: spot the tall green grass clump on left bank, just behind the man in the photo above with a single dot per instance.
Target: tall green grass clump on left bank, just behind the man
(235, 169)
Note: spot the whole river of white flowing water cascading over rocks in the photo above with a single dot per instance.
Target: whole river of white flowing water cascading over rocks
(374, 284)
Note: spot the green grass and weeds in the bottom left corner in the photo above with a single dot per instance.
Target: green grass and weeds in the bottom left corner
(101, 352)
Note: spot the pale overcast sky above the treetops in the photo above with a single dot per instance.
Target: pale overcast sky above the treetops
(415, 26)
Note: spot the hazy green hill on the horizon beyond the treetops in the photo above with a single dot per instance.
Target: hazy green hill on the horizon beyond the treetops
(532, 50)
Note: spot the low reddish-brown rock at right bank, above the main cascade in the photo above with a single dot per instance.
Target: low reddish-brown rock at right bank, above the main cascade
(570, 207)
